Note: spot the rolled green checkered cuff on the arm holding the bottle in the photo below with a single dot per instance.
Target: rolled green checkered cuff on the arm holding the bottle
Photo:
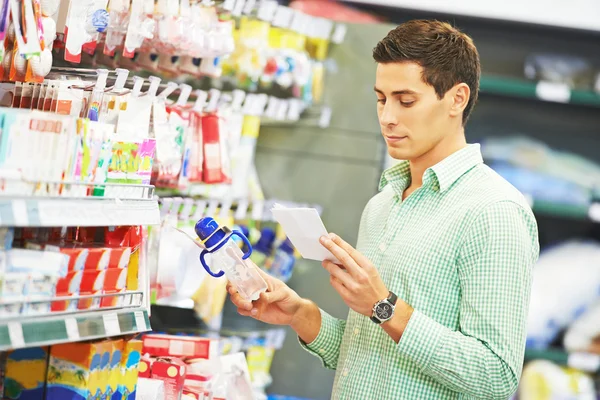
(326, 344)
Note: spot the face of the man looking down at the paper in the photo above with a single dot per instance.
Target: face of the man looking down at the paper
(413, 120)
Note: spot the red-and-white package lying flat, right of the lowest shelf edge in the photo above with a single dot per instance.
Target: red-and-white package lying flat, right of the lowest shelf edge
(180, 346)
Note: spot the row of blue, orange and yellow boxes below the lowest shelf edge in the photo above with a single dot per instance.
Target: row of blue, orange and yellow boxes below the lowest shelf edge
(104, 369)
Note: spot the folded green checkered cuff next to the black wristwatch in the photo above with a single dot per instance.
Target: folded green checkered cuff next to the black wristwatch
(421, 339)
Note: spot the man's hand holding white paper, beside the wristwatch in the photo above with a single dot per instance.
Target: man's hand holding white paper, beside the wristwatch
(356, 279)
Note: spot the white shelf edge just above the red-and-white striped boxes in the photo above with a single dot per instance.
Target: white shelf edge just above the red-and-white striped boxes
(90, 211)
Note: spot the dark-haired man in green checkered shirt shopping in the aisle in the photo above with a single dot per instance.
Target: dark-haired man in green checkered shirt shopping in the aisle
(439, 284)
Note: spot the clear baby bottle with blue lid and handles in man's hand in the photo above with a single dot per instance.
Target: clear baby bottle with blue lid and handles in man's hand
(227, 256)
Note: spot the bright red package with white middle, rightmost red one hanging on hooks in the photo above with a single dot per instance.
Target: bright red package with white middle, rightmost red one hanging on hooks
(212, 169)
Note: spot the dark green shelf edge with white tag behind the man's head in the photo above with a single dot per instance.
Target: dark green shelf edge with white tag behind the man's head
(544, 91)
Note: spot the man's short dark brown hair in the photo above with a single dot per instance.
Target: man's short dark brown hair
(447, 55)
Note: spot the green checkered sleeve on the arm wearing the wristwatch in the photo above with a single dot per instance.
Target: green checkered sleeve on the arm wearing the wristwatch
(484, 357)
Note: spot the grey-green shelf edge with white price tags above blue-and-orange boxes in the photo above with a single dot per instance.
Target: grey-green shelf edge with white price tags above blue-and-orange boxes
(53, 329)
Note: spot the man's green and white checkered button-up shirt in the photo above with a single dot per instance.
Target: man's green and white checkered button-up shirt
(460, 251)
